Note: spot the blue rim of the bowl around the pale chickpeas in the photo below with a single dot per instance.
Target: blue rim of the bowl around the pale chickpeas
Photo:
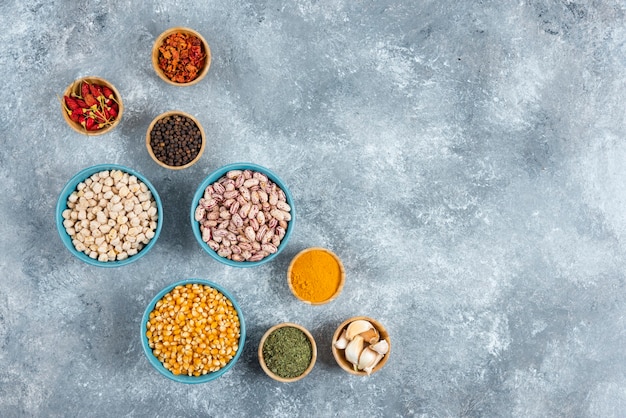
(62, 205)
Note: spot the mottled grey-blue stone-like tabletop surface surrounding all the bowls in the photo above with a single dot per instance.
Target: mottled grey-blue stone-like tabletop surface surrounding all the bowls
(464, 158)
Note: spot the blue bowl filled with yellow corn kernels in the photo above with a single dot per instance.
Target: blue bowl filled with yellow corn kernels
(193, 331)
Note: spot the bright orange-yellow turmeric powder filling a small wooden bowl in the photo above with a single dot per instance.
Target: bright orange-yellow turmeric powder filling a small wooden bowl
(316, 275)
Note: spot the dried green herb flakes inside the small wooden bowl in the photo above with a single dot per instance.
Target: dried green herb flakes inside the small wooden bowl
(287, 352)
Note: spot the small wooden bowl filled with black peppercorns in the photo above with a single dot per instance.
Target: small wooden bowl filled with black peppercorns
(175, 140)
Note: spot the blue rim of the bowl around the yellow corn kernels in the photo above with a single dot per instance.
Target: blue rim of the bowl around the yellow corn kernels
(184, 378)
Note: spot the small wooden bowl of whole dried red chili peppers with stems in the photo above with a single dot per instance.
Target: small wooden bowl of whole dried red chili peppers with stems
(92, 106)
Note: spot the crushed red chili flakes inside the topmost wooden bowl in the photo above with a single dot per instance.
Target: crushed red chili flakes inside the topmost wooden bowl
(182, 57)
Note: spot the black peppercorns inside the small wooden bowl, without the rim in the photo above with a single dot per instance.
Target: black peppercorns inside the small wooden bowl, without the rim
(175, 140)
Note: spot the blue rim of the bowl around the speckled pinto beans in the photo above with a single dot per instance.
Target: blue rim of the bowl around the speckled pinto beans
(212, 178)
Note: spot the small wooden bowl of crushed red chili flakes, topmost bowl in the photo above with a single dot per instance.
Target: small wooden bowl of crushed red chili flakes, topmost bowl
(181, 56)
